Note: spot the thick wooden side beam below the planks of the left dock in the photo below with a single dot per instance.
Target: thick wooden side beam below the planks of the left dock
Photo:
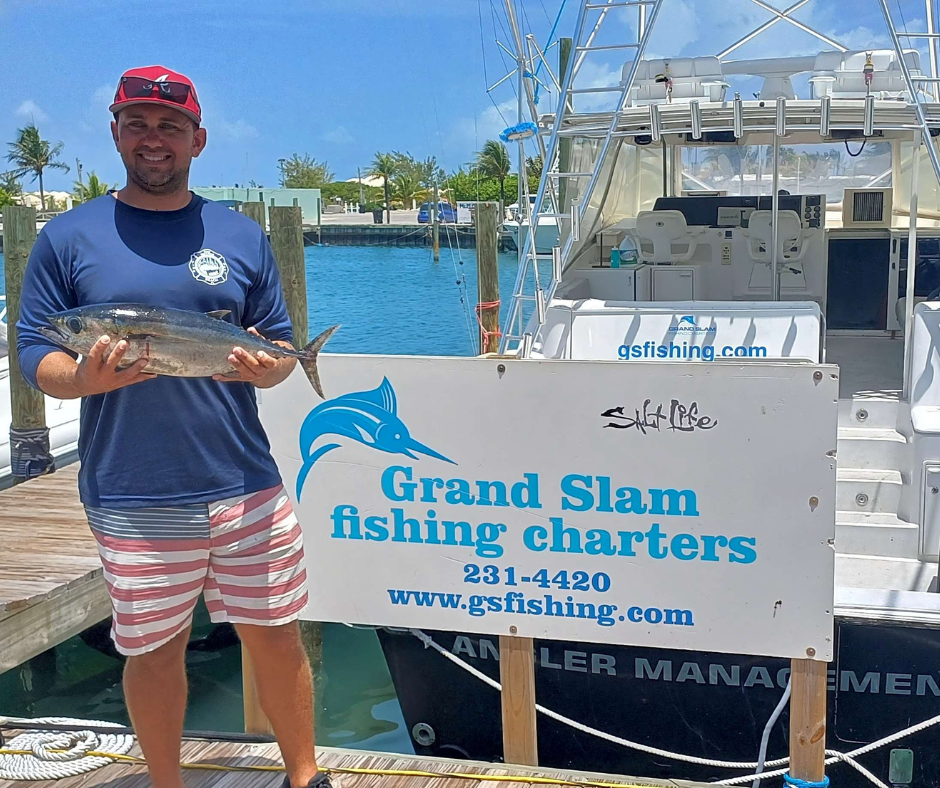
(44, 625)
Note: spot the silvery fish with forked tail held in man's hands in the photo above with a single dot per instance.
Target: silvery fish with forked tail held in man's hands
(177, 342)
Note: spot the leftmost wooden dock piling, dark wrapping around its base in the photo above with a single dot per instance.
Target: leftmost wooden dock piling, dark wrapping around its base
(29, 435)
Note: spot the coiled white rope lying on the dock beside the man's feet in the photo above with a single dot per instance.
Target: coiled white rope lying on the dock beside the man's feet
(46, 765)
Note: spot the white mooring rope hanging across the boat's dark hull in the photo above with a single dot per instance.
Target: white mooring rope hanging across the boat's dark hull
(834, 755)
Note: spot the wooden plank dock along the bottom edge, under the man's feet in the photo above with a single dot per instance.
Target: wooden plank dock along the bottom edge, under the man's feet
(441, 772)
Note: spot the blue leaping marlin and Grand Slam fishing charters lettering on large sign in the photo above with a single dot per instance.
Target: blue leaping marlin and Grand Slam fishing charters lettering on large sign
(371, 418)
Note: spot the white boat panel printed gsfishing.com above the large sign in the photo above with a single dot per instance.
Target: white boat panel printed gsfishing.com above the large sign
(687, 331)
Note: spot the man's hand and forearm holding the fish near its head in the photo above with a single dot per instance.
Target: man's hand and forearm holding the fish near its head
(59, 376)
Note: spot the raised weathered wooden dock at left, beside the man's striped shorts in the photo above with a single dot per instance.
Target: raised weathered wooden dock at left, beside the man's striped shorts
(51, 585)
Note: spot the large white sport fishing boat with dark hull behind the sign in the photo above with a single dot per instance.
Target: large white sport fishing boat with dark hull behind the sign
(703, 224)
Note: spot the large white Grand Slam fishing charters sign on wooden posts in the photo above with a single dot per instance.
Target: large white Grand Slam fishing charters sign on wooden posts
(659, 505)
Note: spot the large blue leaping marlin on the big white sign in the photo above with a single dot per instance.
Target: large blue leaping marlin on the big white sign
(367, 417)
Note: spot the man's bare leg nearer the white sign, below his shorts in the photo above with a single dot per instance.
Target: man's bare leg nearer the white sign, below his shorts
(285, 689)
